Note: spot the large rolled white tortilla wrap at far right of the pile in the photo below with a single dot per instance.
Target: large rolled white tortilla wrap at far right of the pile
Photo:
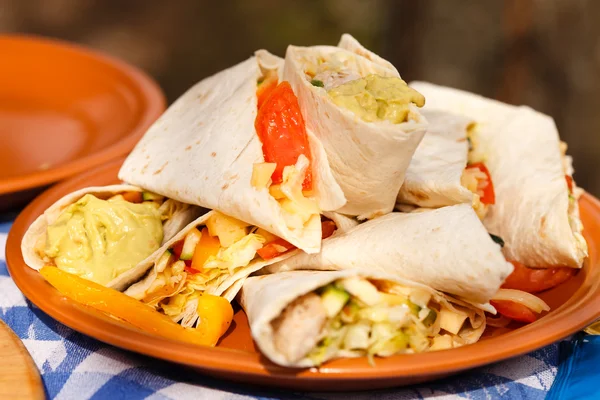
(535, 213)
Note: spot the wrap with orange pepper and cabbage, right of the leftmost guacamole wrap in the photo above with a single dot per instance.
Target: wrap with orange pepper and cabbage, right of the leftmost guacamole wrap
(212, 254)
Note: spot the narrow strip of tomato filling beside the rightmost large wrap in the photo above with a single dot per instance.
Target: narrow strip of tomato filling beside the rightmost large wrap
(476, 177)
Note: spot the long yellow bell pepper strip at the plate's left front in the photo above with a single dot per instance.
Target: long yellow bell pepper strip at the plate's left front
(136, 313)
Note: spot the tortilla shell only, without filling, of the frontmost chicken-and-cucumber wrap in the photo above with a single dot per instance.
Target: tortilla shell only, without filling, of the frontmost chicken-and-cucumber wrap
(265, 297)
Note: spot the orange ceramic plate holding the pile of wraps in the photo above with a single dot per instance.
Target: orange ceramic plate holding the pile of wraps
(574, 304)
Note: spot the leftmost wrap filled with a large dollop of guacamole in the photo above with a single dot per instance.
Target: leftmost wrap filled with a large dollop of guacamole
(104, 234)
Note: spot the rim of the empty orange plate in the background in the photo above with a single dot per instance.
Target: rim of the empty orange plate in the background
(154, 104)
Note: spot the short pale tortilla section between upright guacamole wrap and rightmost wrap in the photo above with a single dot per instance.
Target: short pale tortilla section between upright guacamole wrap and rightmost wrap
(433, 178)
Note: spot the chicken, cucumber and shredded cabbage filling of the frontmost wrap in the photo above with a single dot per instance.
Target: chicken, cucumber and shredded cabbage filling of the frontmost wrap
(354, 317)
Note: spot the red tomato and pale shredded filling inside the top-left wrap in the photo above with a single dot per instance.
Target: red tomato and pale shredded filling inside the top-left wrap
(287, 170)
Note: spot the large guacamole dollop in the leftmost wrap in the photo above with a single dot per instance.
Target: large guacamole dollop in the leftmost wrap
(100, 239)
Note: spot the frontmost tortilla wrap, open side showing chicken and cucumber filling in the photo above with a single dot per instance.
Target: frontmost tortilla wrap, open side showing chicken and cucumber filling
(304, 318)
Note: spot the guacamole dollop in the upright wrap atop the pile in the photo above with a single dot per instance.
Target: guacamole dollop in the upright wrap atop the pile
(377, 98)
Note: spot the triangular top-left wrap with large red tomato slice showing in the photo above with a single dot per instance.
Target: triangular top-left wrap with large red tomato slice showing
(236, 142)
